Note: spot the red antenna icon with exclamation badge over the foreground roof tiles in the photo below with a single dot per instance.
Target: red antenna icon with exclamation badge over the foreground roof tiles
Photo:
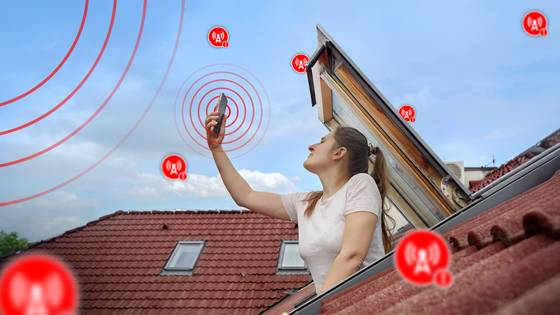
(419, 257)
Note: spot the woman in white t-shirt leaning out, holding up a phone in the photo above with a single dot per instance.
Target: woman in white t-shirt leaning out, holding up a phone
(341, 228)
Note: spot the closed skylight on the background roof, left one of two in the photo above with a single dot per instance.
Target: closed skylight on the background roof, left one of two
(184, 258)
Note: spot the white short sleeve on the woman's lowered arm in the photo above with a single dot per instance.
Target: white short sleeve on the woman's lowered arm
(363, 195)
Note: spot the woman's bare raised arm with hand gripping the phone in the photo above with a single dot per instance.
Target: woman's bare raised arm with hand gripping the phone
(265, 203)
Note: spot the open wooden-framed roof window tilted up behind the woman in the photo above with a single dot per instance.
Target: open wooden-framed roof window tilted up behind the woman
(421, 186)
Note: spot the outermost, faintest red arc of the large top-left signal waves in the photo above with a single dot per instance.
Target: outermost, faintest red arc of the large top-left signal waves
(125, 137)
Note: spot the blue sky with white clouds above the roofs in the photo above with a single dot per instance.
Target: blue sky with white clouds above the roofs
(481, 87)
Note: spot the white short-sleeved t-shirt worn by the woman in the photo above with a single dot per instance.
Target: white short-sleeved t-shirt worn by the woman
(320, 235)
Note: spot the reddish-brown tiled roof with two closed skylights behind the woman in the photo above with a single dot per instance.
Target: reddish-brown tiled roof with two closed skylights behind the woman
(118, 260)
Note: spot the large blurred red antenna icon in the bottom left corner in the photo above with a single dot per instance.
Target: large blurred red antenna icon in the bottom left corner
(38, 284)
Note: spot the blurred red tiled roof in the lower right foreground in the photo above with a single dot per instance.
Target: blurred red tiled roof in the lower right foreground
(506, 261)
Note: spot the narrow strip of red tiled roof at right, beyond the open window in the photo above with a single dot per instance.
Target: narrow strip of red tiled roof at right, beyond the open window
(507, 167)
